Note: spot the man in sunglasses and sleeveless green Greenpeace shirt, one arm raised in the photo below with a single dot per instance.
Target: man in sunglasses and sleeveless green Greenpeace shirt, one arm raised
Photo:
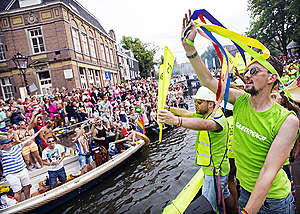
(264, 133)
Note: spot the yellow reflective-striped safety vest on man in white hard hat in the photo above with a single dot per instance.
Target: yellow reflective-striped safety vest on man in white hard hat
(203, 146)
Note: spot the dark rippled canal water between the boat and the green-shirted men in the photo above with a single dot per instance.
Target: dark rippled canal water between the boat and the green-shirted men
(148, 182)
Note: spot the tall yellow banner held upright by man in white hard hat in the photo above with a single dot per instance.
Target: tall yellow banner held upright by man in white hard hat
(165, 72)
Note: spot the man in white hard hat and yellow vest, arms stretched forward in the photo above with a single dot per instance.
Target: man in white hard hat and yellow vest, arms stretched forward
(211, 142)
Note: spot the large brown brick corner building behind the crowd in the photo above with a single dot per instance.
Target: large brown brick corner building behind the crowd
(66, 45)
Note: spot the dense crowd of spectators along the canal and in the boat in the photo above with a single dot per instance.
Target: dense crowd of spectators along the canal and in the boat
(29, 129)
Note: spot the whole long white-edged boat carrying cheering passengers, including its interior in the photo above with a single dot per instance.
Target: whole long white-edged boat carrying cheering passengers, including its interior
(42, 202)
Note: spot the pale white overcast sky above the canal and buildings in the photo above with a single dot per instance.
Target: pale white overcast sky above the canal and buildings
(159, 21)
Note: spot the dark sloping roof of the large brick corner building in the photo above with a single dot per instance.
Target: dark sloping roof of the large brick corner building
(77, 7)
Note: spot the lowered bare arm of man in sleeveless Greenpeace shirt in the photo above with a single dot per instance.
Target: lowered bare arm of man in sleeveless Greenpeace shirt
(277, 155)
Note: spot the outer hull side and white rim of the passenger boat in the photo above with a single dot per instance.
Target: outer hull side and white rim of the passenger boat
(47, 201)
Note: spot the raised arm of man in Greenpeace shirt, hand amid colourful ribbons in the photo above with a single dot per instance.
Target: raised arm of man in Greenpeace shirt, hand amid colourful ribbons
(200, 69)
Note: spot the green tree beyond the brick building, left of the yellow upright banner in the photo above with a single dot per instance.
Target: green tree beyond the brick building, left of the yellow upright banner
(143, 52)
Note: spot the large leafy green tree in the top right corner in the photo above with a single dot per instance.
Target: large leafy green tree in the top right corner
(275, 23)
